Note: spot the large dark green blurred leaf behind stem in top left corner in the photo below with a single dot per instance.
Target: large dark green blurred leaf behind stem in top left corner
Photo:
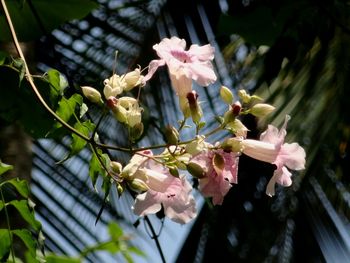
(50, 13)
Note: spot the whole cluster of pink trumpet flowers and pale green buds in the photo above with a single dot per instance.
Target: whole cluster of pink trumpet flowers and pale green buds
(163, 181)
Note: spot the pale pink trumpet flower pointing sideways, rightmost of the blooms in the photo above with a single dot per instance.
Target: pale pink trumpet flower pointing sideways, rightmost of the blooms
(272, 149)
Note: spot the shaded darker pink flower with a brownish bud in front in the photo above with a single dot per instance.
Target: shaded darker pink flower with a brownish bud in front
(220, 172)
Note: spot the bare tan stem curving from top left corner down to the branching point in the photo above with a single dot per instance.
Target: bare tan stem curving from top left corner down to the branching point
(30, 78)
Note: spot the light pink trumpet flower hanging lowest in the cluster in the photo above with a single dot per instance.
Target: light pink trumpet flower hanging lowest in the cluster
(164, 190)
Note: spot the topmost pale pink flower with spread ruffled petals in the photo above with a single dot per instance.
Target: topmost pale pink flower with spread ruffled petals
(183, 65)
